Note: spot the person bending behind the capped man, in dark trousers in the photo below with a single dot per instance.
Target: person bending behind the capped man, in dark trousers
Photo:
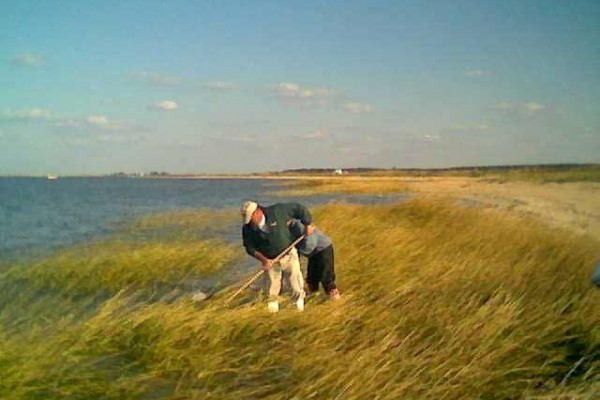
(318, 248)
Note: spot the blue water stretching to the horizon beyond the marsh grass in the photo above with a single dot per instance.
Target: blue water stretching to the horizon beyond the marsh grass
(38, 215)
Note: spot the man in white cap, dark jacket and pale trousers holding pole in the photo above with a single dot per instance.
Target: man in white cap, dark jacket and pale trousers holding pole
(266, 234)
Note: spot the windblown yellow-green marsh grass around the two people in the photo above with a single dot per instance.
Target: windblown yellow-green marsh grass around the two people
(440, 301)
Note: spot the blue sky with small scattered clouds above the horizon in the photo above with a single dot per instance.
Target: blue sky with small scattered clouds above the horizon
(95, 87)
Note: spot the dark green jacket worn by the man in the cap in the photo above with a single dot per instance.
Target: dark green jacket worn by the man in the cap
(278, 236)
